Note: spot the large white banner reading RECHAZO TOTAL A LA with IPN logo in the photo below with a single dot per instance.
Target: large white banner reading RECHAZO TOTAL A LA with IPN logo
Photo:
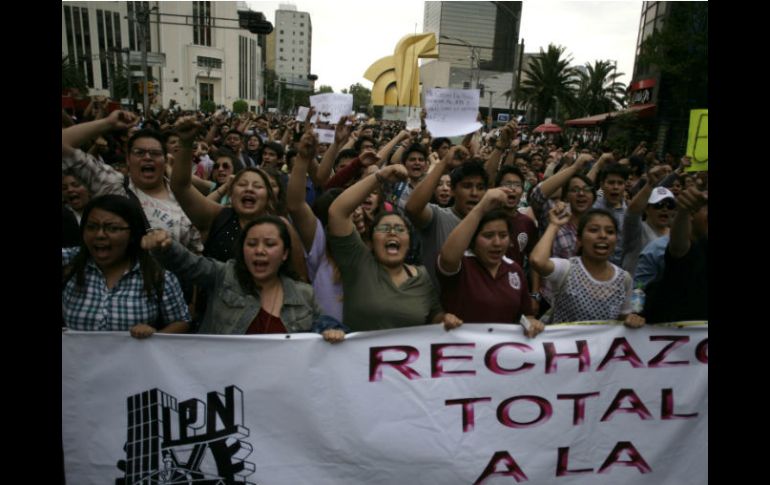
(601, 404)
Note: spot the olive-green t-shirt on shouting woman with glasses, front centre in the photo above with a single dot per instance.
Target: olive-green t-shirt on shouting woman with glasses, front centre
(371, 300)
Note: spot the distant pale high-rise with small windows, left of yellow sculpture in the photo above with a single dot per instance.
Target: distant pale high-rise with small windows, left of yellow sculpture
(293, 47)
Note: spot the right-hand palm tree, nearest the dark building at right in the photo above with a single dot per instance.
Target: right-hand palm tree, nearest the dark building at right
(599, 91)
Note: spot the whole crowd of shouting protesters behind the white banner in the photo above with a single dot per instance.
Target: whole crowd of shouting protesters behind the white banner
(237, 224)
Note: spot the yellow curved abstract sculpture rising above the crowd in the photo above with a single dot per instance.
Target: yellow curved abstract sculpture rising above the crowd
(396, 78)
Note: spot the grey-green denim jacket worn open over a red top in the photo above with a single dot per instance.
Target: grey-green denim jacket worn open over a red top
(229, 310)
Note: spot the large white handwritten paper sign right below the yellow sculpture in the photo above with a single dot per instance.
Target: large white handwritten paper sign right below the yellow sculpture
(451, 112)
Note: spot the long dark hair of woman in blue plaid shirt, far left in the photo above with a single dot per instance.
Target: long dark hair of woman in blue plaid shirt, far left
(130, 211)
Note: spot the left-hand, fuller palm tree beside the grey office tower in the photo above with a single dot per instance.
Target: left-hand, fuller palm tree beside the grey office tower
(549, 83)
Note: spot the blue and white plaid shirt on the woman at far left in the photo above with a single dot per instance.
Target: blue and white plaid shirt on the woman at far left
(98, 308)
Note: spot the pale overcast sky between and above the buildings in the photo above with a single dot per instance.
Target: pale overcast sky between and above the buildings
(349, 35)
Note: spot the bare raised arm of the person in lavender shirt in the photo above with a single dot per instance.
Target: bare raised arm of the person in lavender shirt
(302, 216)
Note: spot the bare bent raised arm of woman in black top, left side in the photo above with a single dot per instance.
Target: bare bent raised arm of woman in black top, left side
(201, 210)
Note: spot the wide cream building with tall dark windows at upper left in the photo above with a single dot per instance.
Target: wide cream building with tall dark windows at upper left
(196, 51)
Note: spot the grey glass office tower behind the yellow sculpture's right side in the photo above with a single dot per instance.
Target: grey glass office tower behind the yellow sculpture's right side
(478, 46)
